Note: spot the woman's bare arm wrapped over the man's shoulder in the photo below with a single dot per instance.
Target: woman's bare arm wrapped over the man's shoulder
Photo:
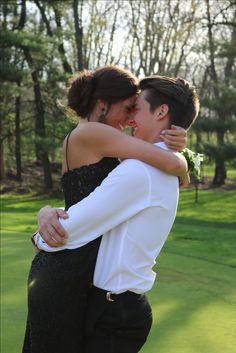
(106, 141)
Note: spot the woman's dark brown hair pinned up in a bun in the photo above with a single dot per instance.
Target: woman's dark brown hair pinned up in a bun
(109, 83)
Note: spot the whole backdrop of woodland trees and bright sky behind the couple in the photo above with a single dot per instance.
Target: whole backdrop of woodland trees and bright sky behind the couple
(45, 42)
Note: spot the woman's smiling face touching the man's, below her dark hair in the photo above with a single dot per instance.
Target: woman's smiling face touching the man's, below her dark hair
(119, 113)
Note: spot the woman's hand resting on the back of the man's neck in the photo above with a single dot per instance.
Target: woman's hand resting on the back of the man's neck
(175, 138)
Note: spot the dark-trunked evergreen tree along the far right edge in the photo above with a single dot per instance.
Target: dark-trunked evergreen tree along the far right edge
(223, 93)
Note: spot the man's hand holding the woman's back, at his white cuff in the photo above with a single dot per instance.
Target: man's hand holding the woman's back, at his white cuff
(50, 228)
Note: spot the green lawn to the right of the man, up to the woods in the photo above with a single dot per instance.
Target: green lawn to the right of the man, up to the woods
(194, 298)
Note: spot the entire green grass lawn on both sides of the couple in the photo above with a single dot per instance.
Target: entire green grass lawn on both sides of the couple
(193, 299)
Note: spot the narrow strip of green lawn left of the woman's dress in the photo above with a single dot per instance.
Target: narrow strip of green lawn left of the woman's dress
(18, 222)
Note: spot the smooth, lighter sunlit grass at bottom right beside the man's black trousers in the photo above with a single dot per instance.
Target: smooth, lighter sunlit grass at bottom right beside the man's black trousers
(193, 307)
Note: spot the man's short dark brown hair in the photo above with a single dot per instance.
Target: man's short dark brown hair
(177, 93)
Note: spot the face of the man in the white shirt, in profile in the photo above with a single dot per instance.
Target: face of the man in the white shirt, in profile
(143, 119)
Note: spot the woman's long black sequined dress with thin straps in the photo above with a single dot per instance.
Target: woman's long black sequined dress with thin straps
(59, 282)
